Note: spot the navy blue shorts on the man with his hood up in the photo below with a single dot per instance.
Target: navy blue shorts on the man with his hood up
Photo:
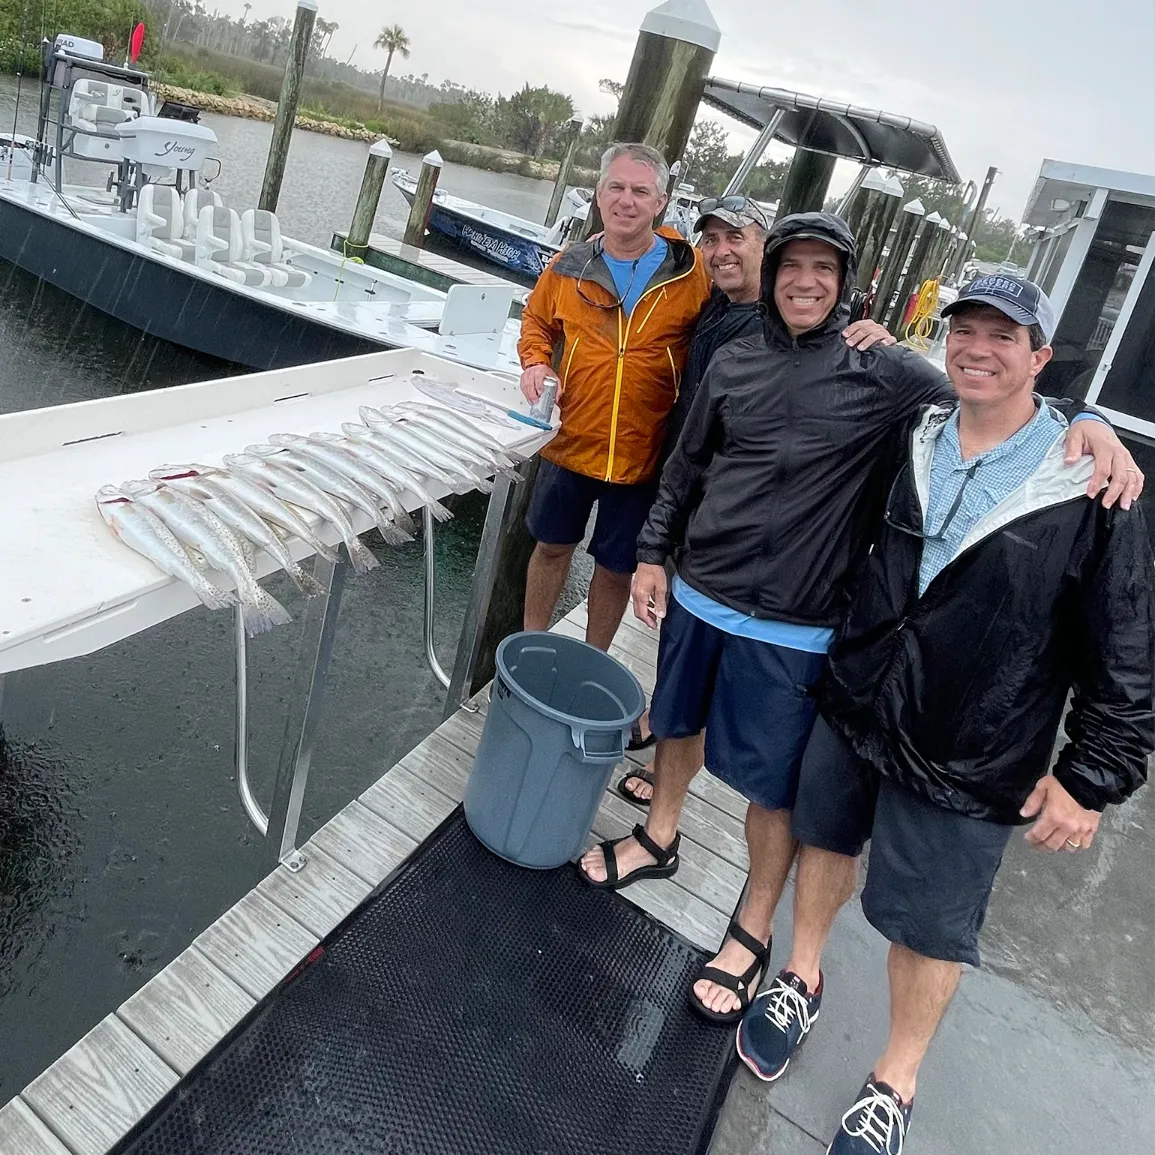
(752, 698)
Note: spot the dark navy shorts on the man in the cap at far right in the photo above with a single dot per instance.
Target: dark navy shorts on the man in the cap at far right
(932, 870)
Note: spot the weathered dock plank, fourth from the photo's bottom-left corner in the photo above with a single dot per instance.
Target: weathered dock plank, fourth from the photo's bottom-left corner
(256, 944)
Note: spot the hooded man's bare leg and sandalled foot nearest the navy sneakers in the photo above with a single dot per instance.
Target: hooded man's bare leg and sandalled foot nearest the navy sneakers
(772, 851)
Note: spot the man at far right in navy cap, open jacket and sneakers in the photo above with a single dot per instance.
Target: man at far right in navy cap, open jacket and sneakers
(994, 591)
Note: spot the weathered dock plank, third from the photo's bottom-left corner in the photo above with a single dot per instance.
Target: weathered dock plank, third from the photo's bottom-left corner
(187, 1010)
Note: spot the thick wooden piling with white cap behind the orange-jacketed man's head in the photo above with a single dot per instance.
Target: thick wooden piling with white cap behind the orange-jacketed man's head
(676, 47)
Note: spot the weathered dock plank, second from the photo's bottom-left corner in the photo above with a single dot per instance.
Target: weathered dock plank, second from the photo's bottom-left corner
(100, 1089)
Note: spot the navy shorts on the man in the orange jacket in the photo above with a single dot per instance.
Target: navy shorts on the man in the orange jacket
(561, 508)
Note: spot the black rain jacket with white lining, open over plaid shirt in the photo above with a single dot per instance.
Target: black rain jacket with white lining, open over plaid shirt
(958, 694)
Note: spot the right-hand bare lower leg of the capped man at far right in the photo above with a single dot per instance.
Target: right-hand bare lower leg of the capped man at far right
(921, 992)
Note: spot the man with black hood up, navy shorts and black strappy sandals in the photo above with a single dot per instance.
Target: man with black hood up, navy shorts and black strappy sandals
(767, 505)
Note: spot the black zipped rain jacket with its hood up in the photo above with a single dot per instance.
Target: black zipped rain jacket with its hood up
(769, 501)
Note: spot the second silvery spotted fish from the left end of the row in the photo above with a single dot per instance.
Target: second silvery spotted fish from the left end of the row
(204, 531)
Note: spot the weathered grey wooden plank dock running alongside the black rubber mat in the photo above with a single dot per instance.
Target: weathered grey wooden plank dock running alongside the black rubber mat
(106, 1084)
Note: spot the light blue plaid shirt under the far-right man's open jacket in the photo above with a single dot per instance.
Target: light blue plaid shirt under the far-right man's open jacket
(986, 481)
